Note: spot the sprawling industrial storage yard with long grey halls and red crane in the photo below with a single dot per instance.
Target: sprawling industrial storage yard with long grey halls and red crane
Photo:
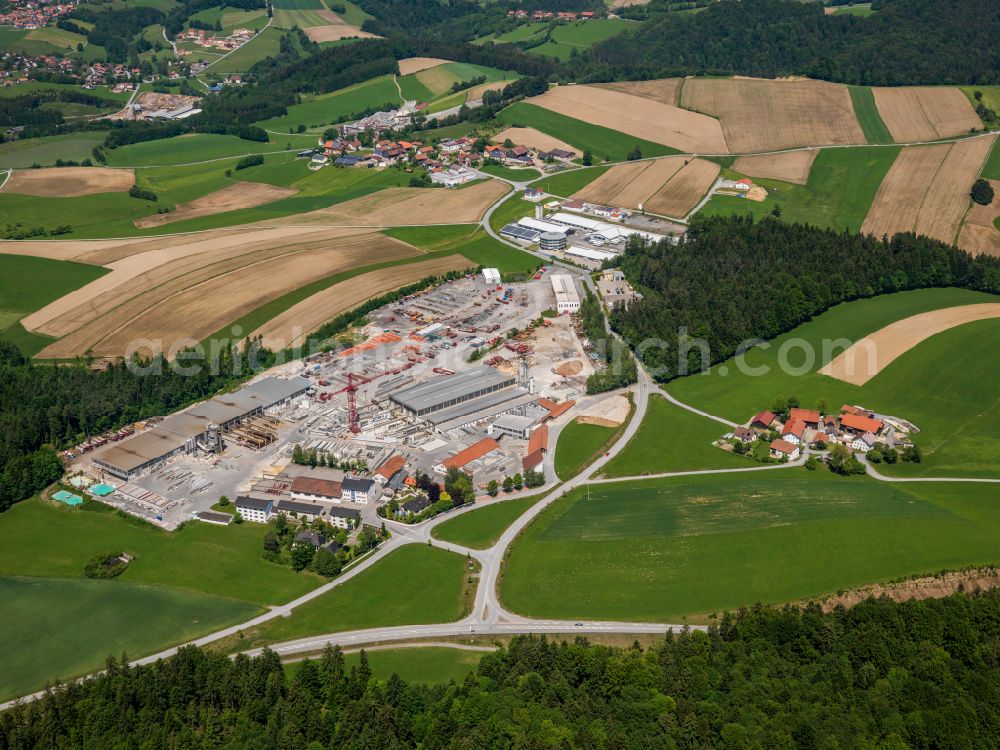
(466, 376)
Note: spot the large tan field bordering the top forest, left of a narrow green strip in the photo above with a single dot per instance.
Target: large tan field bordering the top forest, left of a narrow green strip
(759, 115)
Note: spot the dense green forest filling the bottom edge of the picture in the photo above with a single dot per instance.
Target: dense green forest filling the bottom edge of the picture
(880, 676)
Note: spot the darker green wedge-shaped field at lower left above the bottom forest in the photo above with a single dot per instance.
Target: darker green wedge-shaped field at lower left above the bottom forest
(64, 628)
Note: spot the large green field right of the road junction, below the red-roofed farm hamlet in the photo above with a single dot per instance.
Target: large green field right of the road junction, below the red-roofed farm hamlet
(661, 550)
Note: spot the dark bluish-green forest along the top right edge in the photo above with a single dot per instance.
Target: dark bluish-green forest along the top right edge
(905, 42)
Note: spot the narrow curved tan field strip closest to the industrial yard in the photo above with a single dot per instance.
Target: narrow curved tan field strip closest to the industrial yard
(291, 327)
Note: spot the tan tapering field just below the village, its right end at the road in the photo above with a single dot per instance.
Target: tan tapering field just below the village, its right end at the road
(408, 207)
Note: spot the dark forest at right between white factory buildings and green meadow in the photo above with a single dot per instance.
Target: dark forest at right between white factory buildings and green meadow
(734, 279)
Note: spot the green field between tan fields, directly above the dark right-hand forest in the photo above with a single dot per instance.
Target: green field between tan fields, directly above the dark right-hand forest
(840, 190)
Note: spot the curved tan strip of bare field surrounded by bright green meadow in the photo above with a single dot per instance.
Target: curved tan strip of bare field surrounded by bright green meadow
(867, 357)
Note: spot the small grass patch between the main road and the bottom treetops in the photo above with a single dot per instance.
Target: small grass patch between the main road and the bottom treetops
(432, 665)
